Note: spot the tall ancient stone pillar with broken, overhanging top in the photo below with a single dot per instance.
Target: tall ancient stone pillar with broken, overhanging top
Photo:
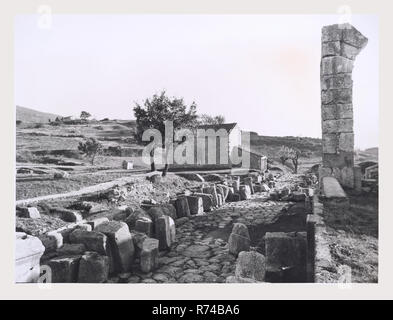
(341, 43)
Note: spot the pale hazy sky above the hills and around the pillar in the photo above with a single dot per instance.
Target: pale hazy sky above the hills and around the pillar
(261, 71)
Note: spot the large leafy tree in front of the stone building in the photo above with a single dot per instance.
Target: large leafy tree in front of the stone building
(158, 109)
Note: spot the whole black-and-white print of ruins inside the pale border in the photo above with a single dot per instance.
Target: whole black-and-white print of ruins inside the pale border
(196, 148)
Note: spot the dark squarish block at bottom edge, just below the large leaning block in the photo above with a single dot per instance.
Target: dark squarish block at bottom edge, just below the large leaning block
(93, 268)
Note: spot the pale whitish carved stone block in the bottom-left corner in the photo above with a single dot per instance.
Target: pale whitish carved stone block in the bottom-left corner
(28, 252)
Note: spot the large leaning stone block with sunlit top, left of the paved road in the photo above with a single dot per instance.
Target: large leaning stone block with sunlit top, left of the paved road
(120, 242)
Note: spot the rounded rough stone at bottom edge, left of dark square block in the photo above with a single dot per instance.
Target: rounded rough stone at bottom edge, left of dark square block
(250, 265)
